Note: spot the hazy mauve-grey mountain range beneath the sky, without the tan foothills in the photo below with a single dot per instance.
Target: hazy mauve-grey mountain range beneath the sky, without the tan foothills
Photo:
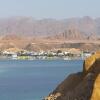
(85, 27)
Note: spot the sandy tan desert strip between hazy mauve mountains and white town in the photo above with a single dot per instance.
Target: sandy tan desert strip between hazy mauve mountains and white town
(48, 43)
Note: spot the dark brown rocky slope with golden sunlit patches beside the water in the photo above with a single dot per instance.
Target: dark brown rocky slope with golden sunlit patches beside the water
(84, 85)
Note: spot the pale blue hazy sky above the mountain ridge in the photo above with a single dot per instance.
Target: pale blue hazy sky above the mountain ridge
(59, 9)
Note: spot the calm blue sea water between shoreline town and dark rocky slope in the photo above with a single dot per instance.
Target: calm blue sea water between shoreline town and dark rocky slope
(33, 80)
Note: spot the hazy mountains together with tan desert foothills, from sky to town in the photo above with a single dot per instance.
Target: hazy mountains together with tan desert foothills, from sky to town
(32, 34)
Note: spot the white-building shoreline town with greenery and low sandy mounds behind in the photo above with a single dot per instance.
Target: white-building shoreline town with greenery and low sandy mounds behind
(65, 54)
